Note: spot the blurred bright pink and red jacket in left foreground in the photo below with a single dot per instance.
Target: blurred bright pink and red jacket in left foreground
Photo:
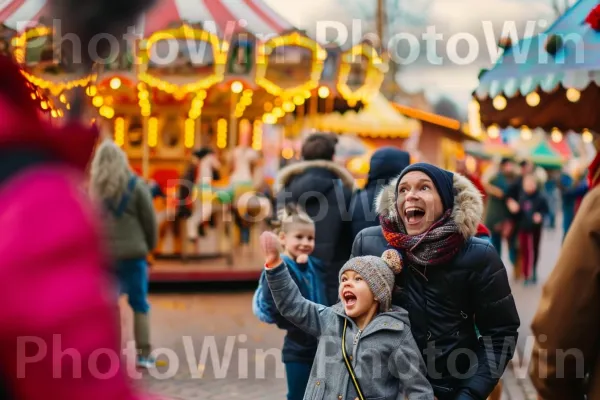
(59, 324)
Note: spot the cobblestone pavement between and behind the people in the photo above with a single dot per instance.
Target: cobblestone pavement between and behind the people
(212, 347)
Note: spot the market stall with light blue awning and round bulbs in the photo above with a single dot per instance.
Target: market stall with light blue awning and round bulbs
(547, 83)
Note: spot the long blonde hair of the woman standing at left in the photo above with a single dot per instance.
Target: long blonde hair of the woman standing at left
(110, 171)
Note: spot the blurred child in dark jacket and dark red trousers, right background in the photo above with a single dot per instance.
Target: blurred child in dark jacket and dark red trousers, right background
(533, 207)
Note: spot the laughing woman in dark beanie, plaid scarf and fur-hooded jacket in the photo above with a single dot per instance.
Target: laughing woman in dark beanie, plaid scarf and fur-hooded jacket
(451, 280)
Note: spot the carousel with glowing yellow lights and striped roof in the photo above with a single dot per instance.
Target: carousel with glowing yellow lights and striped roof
(207, 87)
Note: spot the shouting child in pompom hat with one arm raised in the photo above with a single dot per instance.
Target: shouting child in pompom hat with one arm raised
(375, 353)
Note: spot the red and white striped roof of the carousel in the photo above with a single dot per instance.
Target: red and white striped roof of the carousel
(218, 16)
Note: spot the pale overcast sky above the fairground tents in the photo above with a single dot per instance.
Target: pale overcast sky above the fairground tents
(448, 17)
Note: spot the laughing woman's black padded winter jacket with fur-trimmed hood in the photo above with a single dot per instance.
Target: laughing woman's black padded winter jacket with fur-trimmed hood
(471, 290)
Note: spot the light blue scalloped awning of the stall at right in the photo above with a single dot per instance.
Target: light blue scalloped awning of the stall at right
(527, 65)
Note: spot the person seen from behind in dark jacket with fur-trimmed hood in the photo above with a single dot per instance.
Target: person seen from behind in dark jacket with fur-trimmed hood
(324, 190)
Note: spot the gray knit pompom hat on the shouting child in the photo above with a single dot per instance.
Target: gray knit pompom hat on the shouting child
(379, 273)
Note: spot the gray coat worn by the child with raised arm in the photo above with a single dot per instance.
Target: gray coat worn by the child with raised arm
(384, 356)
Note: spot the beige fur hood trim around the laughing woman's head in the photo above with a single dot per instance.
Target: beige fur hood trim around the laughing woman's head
(467, 211)
